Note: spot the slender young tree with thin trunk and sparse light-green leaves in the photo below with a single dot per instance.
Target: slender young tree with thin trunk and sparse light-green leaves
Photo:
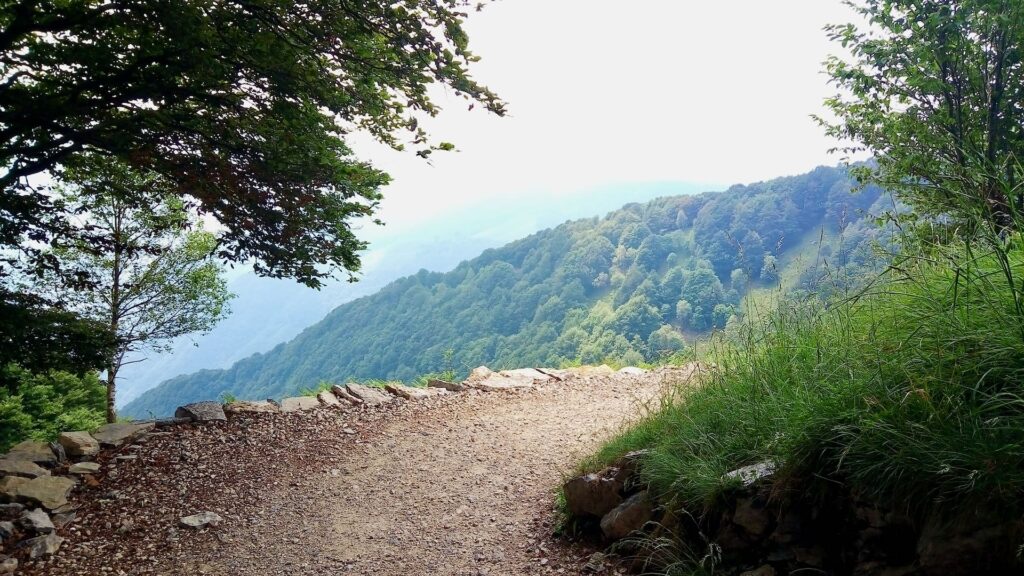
(135, 265)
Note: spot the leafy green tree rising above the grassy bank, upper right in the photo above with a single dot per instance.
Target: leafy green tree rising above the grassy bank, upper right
(934, 92)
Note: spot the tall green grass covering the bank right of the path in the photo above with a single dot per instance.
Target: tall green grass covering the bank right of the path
(911, 393)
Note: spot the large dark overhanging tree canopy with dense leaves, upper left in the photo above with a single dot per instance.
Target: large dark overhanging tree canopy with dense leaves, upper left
(241, 106)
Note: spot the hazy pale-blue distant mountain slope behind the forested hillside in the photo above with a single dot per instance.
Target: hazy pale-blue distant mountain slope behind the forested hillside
(268, 312)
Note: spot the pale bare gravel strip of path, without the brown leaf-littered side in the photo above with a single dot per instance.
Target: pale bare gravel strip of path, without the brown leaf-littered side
(462, 490)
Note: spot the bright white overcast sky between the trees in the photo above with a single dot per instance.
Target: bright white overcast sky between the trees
(605, 93)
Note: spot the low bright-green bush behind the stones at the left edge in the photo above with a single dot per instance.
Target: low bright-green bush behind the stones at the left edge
(42, 405)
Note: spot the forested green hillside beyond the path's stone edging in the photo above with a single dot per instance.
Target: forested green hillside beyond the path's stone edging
(629, 287)
